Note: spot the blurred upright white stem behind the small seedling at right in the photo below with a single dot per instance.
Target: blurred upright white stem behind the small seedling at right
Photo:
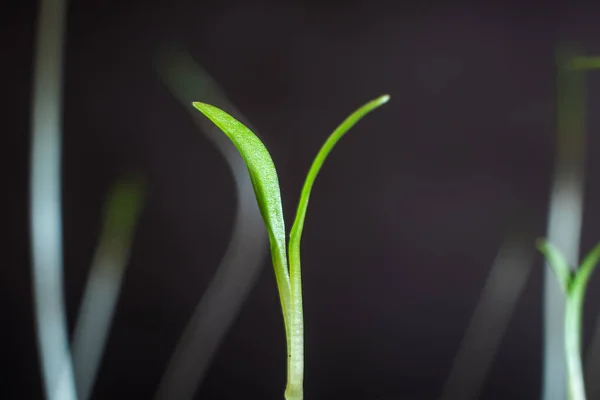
(564, 220)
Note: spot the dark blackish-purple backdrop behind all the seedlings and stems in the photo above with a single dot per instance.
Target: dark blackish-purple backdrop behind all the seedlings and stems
(406, 217)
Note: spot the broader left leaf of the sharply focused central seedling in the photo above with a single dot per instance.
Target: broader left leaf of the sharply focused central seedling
(265, 182)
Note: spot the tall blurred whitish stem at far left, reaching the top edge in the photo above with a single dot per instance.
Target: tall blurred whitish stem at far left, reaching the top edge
(45, 192)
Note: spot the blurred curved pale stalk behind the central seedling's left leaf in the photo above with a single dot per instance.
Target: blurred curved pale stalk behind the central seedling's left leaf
(245, 254)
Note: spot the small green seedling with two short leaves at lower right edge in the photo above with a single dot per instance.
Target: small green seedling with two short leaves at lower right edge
(573, 284)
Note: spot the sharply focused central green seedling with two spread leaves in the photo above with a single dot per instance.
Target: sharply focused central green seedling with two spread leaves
(263, 176)
